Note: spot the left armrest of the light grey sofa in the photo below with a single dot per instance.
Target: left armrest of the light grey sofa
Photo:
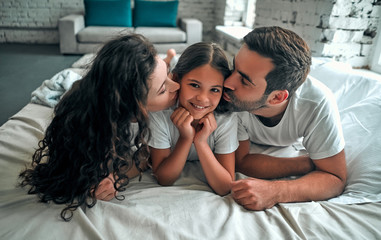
(68, 27)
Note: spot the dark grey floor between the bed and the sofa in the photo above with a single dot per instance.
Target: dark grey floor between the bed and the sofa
(23, 67)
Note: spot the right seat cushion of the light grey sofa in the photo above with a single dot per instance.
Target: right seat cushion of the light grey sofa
(162, 34)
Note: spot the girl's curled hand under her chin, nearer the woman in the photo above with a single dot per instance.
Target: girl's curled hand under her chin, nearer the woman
(182, 120)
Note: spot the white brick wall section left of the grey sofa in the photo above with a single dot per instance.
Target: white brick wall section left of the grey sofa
(34, 21)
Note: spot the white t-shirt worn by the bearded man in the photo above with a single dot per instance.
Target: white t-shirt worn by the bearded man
(311, 116)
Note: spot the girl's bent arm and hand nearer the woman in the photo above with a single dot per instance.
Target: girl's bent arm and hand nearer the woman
(166, 165)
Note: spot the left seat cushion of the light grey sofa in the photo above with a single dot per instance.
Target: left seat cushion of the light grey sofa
(97, 34)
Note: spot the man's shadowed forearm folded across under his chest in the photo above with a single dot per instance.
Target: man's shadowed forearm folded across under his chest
(269, 167)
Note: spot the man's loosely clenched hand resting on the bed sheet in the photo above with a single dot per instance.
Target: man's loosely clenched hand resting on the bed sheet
(254, 194)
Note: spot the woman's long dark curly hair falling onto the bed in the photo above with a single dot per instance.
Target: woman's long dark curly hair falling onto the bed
(90, 134)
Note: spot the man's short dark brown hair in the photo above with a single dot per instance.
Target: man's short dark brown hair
(289, 53)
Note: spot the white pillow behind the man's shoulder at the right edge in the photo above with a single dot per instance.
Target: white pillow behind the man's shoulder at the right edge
(359, 101)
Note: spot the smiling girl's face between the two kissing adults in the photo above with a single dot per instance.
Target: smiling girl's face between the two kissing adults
(201, 90)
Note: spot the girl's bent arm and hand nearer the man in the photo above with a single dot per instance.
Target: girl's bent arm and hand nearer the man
(219, 168)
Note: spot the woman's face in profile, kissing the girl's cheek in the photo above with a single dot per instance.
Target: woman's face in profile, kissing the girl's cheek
(163, 91)
